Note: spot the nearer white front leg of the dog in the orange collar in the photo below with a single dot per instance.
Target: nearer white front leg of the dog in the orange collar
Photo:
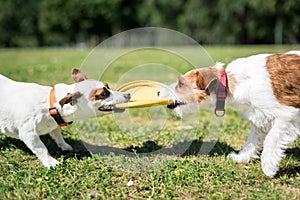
(34, 143)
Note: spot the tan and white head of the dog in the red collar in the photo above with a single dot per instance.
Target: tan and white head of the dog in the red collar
(192, 89)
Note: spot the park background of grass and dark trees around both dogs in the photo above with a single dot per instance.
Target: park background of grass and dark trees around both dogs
(42, 40)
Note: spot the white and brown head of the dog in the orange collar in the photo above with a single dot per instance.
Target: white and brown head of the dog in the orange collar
(92, 98)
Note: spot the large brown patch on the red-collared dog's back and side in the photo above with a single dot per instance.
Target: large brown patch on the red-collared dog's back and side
(284, 70)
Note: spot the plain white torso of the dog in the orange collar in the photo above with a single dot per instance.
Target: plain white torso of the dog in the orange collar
(20, 101)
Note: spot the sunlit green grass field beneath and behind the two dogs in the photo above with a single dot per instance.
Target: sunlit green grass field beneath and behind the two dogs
(176, 172)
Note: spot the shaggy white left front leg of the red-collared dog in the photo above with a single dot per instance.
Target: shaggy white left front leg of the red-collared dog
(251, 148)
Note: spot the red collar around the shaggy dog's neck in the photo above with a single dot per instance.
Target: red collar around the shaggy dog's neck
(221, 95)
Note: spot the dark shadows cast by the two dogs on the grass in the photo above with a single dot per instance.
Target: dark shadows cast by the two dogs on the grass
(195, 147)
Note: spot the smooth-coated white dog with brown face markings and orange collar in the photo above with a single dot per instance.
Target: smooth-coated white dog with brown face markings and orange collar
(28, 110)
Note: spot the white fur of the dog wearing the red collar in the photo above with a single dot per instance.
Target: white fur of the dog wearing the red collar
(274, 126)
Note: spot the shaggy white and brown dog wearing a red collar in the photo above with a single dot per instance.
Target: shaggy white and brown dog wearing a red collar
(264, 88)
